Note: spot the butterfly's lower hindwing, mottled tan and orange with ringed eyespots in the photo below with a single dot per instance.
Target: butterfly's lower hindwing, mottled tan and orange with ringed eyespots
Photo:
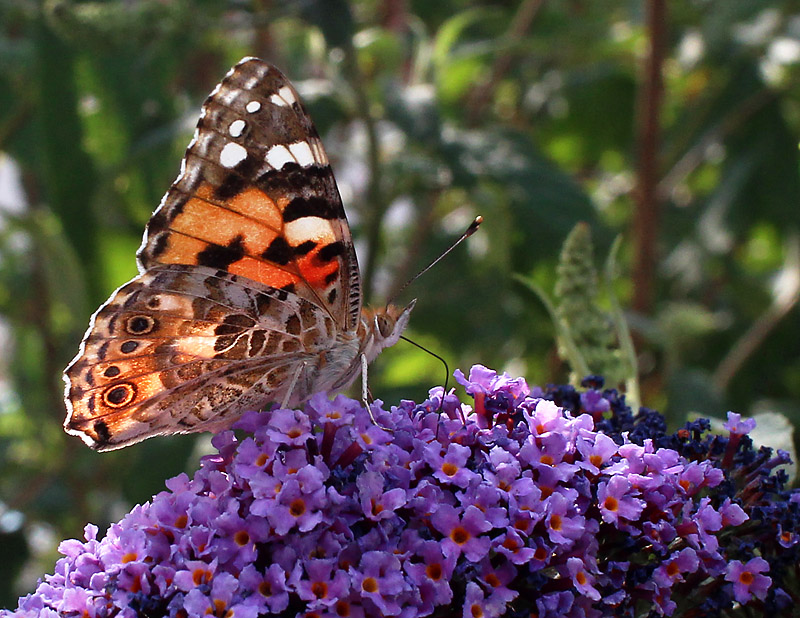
(181, 348)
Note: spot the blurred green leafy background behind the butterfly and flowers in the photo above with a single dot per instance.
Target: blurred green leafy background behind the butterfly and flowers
(432, 112)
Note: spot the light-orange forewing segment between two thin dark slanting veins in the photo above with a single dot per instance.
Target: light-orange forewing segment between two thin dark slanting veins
(221, 227)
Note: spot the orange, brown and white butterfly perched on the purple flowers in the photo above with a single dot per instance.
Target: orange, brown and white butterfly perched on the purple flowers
(249, 290)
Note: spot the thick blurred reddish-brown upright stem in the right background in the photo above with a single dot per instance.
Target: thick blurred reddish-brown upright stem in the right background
(647, 216)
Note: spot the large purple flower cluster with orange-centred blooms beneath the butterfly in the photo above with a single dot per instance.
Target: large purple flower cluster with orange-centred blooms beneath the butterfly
(547, 503)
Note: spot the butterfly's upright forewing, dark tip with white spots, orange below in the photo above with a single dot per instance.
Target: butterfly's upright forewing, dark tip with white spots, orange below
(257, 197)
